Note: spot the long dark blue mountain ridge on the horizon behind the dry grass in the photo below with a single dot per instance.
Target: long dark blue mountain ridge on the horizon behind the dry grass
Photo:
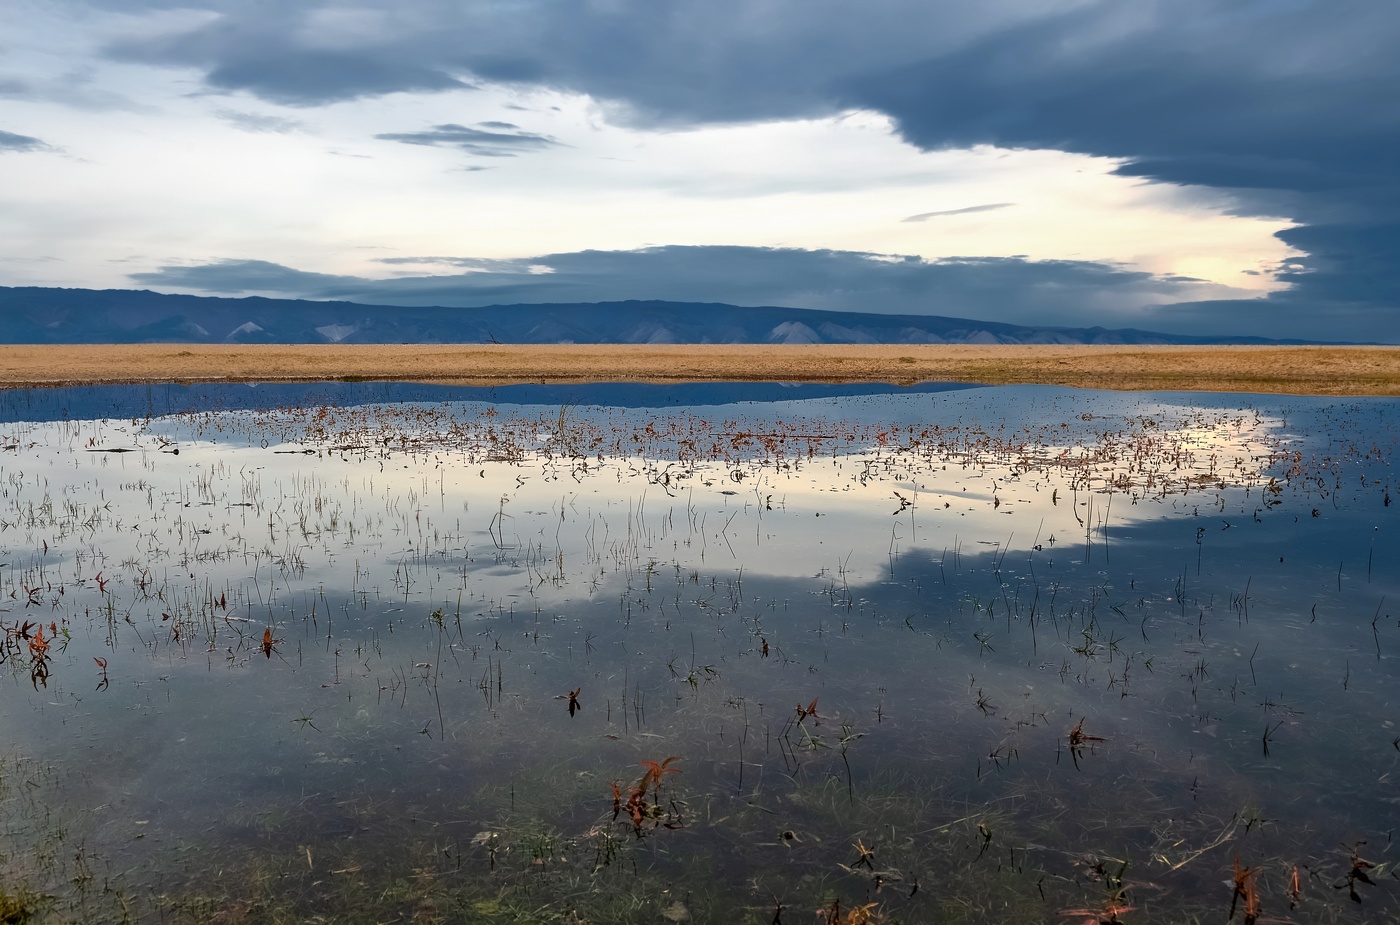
(36, 316)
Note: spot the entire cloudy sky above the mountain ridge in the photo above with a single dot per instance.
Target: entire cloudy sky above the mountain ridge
(1191, 167)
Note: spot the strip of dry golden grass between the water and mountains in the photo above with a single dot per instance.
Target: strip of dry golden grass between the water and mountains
(1279, 370)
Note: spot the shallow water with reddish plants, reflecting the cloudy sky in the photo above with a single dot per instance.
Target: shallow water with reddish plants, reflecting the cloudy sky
(1010, 654)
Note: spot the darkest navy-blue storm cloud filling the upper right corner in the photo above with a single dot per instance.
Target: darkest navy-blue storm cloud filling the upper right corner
(1280, 104)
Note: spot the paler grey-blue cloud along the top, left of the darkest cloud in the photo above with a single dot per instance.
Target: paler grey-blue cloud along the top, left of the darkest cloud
(681, 62)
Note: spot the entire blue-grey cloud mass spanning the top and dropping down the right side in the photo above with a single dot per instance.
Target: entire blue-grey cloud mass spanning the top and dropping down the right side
(1290, 106)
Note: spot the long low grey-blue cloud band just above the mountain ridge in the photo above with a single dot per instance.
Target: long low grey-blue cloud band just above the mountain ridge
(988, 289)
